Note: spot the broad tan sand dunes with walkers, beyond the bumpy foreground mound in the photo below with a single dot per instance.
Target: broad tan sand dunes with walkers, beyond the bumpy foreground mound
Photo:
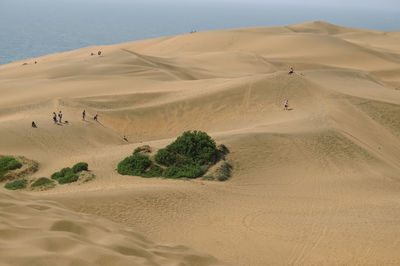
(318, 184)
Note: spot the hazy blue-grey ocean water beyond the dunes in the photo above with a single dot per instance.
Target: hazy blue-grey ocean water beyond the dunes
(32, 28)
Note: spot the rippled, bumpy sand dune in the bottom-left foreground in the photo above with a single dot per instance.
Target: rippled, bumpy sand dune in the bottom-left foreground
(37, 232)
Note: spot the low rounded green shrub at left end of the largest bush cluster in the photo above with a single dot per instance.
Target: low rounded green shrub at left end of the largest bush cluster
(136, 164)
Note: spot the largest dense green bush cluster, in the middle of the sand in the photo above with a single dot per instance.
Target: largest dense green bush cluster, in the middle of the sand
(190, 156)
